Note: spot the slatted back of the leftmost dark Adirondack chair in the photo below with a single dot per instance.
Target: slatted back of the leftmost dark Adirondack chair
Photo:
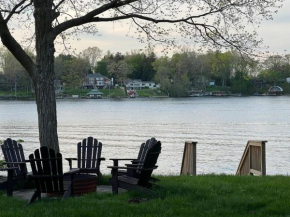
(13, 152)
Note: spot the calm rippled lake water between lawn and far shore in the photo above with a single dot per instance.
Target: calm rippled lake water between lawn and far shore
(221, 126)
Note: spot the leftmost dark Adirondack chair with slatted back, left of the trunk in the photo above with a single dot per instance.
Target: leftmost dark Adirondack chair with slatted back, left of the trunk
(14, 158)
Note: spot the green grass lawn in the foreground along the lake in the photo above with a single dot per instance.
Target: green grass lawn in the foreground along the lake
(178, 196)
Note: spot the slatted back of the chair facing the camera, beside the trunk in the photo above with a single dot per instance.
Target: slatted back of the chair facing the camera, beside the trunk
(89, 150)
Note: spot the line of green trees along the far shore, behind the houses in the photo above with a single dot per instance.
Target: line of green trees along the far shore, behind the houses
(177, 74)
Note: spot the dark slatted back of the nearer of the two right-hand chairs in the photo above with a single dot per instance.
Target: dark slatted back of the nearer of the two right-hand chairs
(149, 164)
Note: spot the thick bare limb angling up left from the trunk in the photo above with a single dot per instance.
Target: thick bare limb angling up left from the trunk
(14, 47)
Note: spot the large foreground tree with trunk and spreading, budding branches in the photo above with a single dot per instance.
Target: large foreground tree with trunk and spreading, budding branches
(208, 23)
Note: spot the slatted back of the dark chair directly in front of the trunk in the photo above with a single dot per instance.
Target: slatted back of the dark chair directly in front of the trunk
(47, 167)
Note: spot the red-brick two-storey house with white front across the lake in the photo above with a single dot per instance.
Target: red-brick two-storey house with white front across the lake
(96, 80)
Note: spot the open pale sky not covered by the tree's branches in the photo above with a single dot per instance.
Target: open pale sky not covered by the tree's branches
(275, 34)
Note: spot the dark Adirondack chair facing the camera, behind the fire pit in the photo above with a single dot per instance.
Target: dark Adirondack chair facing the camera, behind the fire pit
(88, 157)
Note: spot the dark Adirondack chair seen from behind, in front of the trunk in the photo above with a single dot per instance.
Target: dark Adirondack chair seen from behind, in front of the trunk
(48, 174)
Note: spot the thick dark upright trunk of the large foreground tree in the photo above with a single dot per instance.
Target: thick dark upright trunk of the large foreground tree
(44, 75)
